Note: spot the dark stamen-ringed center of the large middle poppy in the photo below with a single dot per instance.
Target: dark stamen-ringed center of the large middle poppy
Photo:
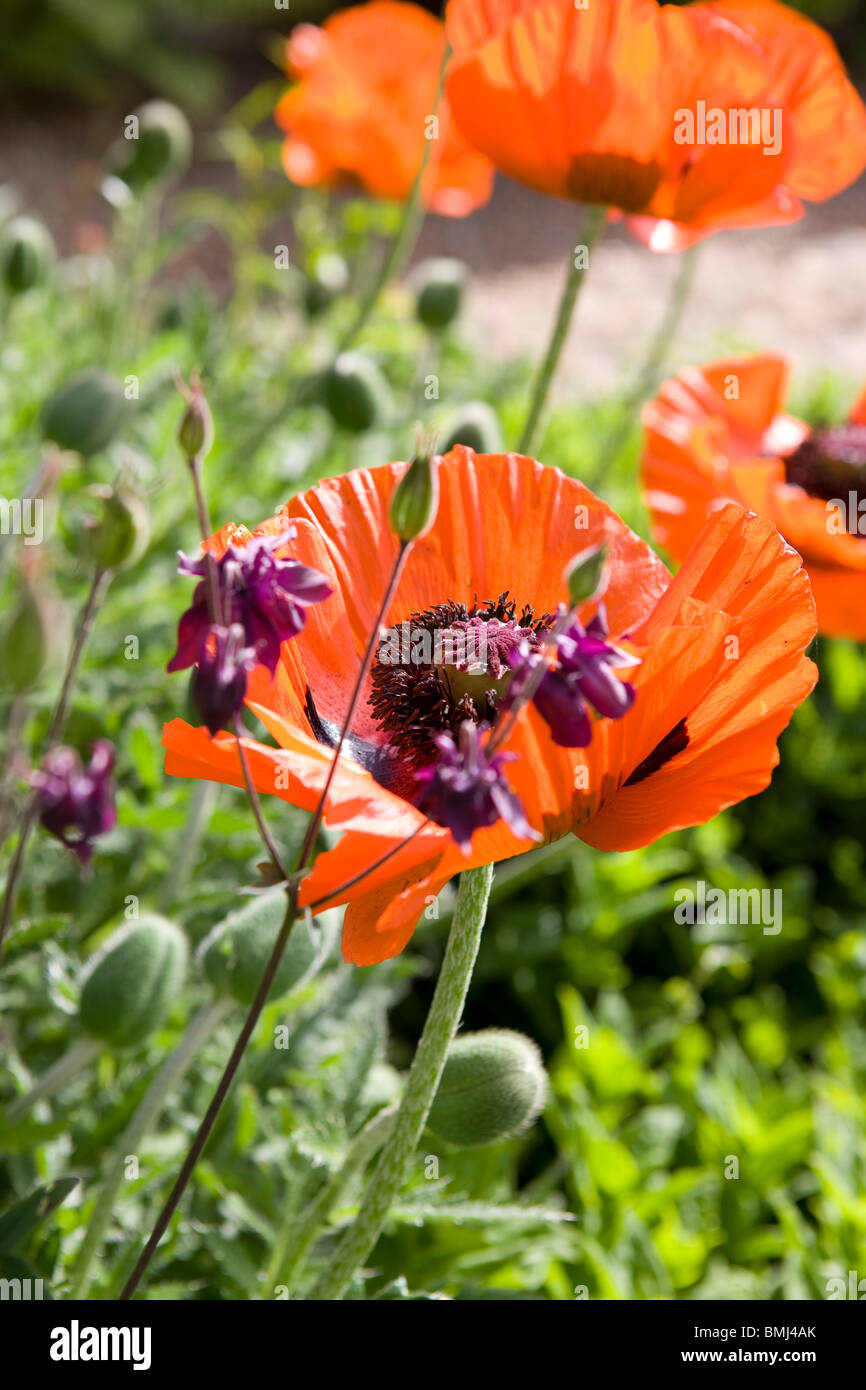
(446, 667)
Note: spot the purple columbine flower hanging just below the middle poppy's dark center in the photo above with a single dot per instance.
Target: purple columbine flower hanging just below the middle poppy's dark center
(465, 792)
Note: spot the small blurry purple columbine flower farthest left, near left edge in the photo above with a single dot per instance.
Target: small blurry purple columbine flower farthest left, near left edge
(76, 803)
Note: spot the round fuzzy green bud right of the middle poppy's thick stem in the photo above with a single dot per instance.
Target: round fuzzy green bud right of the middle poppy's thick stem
(493, 1088)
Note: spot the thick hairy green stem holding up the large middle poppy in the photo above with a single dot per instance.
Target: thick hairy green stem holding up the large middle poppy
(446, 1011)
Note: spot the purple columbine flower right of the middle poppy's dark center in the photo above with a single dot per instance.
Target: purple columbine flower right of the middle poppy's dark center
(582, 679)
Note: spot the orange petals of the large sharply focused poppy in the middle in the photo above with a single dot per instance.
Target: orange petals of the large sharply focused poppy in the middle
(722, 669)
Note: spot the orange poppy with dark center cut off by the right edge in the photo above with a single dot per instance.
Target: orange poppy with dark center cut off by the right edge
(721, 433)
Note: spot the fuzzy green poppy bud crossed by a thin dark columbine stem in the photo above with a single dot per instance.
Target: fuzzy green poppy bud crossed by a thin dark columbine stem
(237, 951)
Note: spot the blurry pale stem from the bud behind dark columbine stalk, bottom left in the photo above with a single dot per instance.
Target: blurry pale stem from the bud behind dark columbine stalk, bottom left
(144, 1120)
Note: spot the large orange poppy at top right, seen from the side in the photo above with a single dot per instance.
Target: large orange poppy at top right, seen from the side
(687, 120)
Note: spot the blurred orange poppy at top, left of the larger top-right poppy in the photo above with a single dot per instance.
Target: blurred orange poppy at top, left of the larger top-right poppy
(361, 109)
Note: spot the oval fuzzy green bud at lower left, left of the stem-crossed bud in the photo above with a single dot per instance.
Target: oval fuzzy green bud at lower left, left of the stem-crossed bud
(133, 983)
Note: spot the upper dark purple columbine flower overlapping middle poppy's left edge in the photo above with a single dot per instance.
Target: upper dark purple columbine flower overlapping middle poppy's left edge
(266, 596)
